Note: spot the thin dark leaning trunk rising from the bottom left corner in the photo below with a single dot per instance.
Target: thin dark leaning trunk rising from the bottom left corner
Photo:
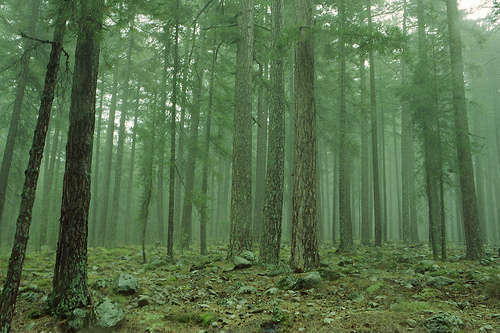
(11, 286)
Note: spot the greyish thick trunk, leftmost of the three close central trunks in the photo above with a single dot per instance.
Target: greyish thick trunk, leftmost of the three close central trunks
(241, 186)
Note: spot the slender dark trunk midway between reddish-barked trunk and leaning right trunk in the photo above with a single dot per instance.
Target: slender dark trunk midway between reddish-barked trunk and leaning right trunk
(373, 115)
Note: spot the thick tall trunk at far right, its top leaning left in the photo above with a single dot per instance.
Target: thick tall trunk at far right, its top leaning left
(474, 244)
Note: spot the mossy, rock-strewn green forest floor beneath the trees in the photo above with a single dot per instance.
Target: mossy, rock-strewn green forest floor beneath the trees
(393, 289)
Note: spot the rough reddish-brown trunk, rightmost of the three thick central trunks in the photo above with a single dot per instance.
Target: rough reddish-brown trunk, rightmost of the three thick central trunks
(304, 247)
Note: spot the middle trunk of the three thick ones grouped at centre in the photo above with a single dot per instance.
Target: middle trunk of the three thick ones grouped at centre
(273, 206)
